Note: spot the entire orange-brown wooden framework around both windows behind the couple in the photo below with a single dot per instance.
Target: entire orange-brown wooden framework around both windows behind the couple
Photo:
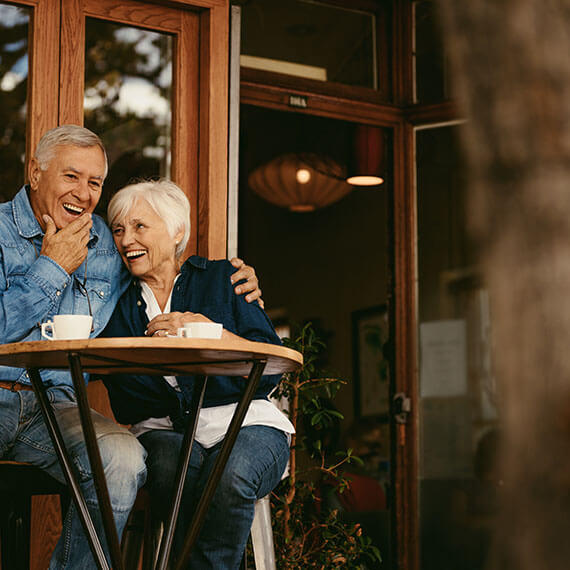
(199, 163)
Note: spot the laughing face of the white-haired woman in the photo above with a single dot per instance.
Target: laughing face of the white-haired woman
(145, 245)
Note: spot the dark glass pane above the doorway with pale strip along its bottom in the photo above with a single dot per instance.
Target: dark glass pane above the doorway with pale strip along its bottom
(311, 40)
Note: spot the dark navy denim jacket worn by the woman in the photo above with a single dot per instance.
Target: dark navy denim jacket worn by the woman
(204, 286)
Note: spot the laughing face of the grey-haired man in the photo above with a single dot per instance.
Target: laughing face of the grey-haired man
(70, 186)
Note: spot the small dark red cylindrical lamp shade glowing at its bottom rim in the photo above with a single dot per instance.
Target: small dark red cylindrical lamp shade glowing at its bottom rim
(367, 162)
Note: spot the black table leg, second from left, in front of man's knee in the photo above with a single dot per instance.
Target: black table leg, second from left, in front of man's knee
(96, 464)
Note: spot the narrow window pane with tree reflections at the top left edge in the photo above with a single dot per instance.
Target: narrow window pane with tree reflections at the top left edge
(13, 90)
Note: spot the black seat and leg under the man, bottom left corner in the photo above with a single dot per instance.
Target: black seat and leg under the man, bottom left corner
(18, 483)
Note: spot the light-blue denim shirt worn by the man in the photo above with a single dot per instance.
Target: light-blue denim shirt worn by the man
(34, 288)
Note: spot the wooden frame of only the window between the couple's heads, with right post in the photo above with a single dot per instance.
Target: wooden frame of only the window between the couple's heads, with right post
(199, 142)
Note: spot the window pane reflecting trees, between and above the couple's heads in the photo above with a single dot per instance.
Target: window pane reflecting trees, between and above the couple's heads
(128, 80)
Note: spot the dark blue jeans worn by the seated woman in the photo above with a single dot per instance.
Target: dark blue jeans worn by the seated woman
(254, 468)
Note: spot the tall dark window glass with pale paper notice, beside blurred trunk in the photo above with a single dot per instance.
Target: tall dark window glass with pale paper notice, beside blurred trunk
(460, 479)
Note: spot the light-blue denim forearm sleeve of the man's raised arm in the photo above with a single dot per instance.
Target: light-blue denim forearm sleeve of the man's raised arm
(26, 298)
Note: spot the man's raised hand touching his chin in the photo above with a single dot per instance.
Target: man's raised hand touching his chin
(68, 246)
